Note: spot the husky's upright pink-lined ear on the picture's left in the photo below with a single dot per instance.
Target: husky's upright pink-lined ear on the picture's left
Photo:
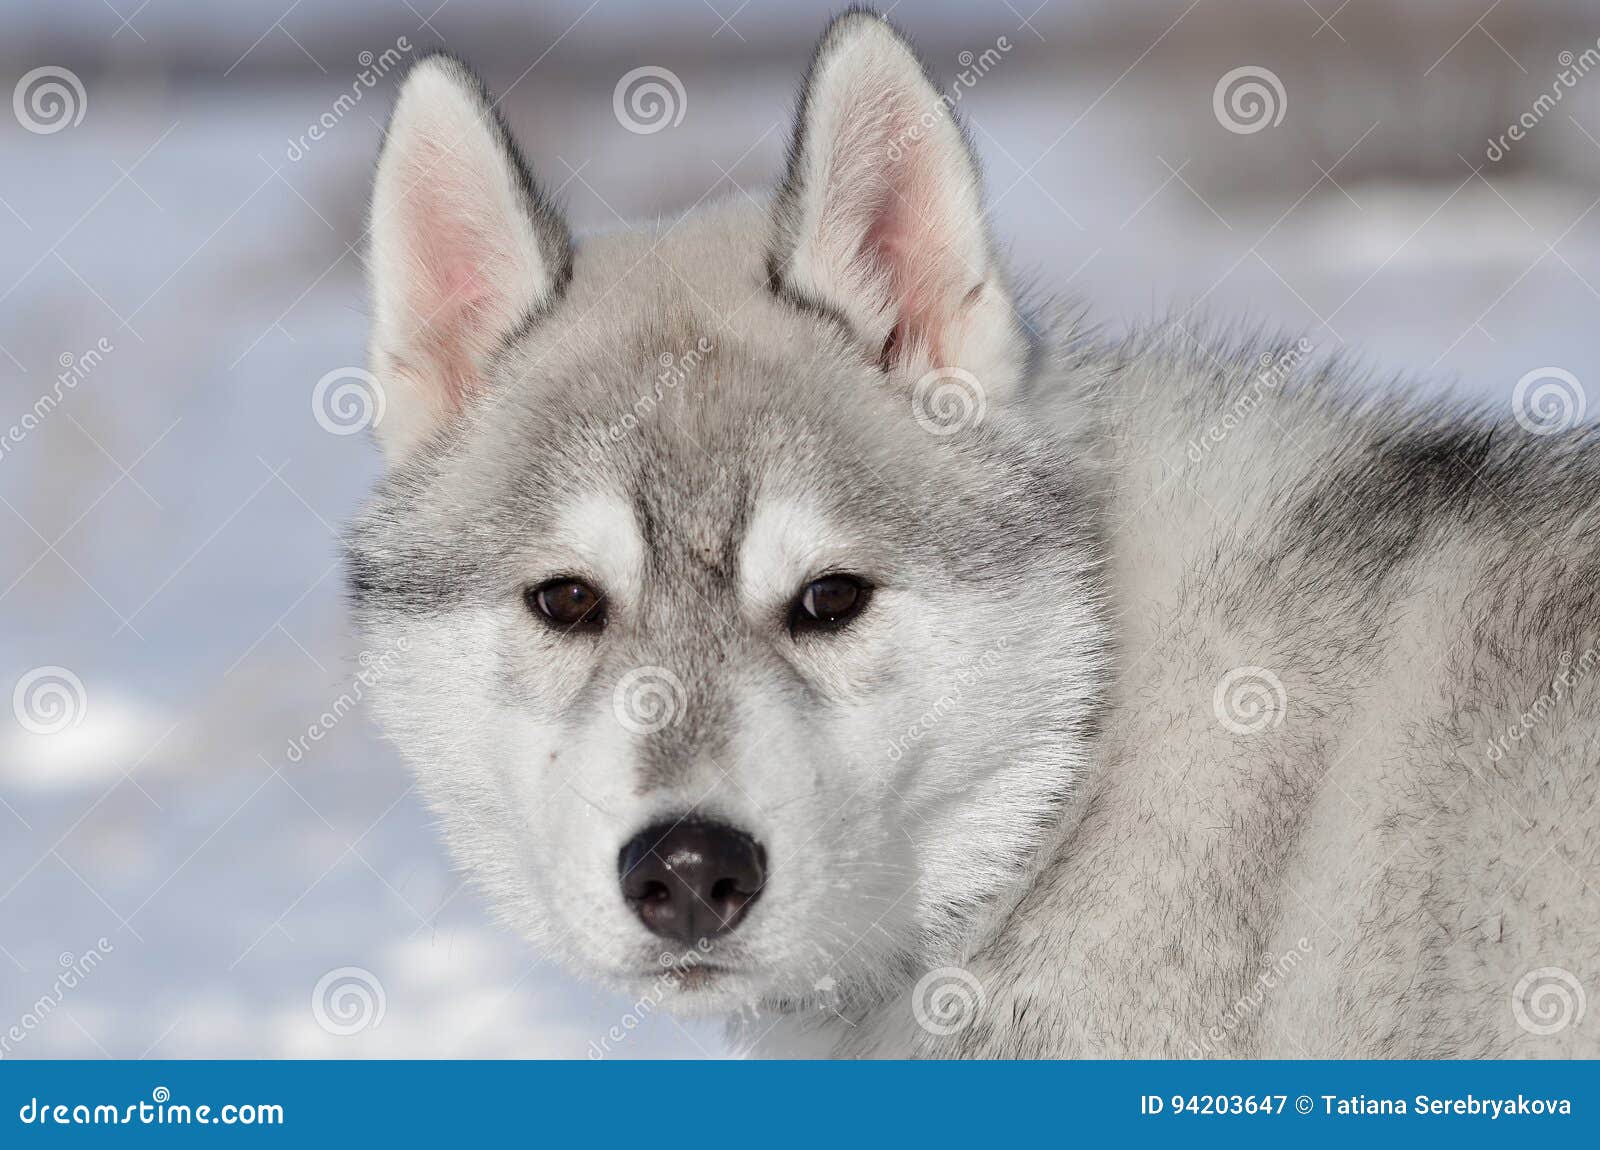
(465, 249)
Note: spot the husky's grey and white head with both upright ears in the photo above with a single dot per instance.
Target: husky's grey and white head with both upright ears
(740, 629)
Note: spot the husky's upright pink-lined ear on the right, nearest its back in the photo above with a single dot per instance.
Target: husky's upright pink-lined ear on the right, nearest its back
(881, 215)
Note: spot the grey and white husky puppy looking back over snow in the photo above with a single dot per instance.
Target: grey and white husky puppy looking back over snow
(785, 623)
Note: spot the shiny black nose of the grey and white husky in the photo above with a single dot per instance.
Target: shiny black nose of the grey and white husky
(692, 880)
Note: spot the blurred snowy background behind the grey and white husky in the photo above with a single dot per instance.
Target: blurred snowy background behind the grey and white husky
(185, 869)
